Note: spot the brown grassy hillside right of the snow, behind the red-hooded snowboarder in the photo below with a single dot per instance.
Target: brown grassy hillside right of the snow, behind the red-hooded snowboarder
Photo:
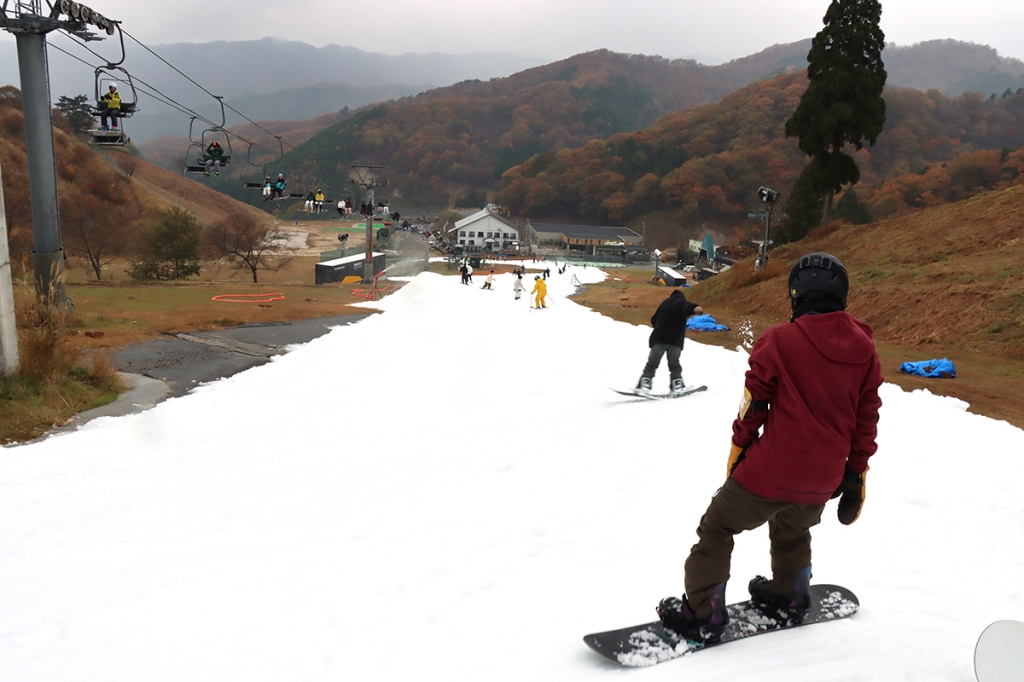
(947, 282)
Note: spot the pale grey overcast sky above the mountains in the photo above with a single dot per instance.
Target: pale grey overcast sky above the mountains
(715, 30)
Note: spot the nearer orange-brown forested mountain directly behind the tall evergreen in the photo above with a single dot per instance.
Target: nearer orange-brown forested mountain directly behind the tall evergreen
(703, 166)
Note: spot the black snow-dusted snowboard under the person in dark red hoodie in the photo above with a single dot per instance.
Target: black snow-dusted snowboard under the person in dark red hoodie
(653, 644)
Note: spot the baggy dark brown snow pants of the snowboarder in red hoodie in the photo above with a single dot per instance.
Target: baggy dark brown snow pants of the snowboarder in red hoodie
(733, 510)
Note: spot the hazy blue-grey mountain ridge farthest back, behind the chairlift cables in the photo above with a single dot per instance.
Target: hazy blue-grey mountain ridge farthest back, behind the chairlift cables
(268, 79)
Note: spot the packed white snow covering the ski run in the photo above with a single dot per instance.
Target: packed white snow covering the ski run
(451, 491)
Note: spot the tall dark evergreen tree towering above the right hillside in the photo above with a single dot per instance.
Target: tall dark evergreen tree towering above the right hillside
(843, 104)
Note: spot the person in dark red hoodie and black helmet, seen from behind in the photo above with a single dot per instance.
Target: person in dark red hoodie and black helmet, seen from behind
(821, 376)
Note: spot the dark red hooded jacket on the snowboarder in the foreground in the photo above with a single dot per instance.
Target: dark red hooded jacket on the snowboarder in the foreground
(814, 386)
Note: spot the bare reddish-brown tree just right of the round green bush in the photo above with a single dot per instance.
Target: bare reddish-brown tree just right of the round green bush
(247, 241)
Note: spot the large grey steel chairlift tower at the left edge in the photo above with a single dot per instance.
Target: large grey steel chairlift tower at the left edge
(30, 21)
